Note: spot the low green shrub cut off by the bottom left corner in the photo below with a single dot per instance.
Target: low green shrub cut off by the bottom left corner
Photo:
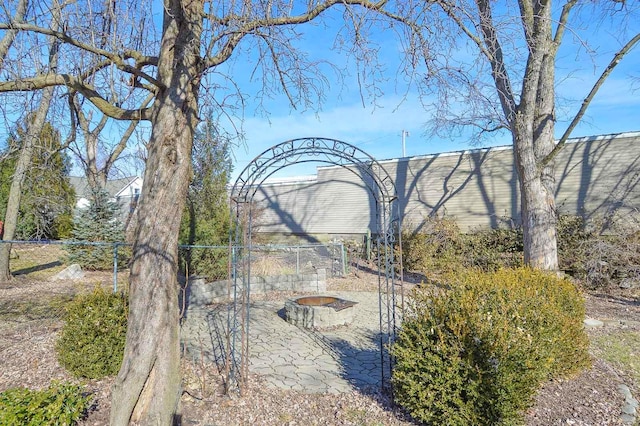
(59, 404)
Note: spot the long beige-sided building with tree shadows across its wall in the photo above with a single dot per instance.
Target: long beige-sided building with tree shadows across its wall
(596, 176)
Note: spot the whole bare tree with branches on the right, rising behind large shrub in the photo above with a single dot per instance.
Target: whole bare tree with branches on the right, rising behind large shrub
(491, 66)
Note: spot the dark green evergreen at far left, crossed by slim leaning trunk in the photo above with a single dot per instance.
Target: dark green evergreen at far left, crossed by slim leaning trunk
(46, 206)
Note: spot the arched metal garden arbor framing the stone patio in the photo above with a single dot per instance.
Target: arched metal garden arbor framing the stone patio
(381, 188)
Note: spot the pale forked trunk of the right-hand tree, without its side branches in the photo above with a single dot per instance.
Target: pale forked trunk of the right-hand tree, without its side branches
(532, 130)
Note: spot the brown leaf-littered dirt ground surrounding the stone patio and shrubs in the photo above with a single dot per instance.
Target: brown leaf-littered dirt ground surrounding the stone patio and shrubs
(30, 318)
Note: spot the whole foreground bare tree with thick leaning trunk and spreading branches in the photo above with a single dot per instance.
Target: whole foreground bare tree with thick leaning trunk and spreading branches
(105, 46)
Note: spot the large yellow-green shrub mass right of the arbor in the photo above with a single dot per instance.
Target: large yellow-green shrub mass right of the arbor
(477, 353)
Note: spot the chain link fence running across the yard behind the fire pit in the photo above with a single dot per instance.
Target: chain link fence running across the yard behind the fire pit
(50, 261)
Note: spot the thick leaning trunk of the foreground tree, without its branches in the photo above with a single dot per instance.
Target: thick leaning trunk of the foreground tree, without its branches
(147, 389)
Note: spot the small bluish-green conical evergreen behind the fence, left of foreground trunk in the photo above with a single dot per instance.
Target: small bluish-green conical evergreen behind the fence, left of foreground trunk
(97, 223)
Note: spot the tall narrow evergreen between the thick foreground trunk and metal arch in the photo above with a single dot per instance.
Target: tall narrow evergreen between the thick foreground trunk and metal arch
(206, 220)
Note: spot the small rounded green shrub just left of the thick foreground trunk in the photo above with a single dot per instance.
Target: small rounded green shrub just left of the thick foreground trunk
(91, 343)
